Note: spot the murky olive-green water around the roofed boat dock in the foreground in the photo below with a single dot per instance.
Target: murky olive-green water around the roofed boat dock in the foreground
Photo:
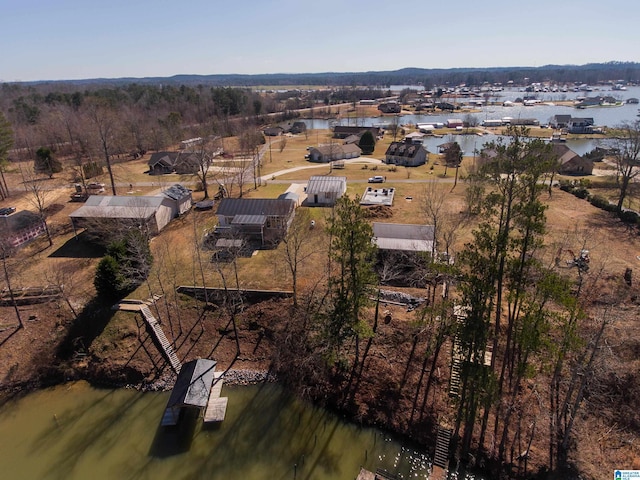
(75, 431)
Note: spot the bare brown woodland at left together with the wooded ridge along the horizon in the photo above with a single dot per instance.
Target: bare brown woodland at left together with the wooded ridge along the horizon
(100, 118)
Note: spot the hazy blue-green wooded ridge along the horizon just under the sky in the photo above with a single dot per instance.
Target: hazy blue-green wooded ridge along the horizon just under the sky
(593, 73)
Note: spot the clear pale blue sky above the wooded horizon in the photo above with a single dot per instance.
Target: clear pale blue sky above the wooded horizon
(82, 39)
